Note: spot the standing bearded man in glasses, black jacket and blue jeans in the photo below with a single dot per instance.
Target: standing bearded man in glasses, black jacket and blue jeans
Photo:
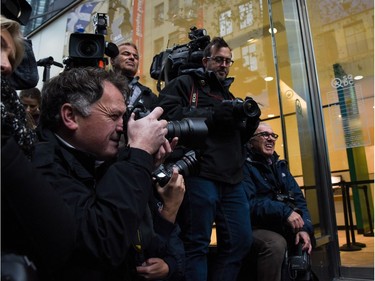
(216, 194)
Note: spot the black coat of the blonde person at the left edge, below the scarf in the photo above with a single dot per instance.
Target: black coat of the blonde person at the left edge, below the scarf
(35, 221)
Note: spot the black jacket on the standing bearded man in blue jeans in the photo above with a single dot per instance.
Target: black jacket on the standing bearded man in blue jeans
(195, 93)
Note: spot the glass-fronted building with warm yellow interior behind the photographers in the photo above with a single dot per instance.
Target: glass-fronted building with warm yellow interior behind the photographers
(308, 64)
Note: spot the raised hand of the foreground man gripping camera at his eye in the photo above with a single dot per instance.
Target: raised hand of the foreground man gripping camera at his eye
(147, 133)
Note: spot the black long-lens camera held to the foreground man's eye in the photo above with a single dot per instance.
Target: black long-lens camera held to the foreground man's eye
(190, 131)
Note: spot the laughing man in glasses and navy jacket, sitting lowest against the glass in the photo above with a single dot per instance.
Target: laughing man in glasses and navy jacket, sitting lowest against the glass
(278, 209)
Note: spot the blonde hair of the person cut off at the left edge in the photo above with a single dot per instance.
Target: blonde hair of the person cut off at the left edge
(13, 28)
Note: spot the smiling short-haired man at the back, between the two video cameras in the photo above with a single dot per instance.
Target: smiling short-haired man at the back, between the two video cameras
(127, 63)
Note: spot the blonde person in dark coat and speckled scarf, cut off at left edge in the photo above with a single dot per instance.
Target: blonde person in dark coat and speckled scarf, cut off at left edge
(37, 228)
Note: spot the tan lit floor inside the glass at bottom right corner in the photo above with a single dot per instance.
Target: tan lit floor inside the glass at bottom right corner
(361, 258)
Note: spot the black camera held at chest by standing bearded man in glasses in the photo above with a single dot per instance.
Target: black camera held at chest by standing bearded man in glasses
(242, 109)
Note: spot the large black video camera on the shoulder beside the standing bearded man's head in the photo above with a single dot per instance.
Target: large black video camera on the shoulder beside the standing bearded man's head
(166, 65)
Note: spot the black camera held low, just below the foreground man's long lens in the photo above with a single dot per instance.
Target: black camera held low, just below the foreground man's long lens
(187, 165)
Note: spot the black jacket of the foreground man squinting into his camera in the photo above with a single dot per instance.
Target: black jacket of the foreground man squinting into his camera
(109, 205)
